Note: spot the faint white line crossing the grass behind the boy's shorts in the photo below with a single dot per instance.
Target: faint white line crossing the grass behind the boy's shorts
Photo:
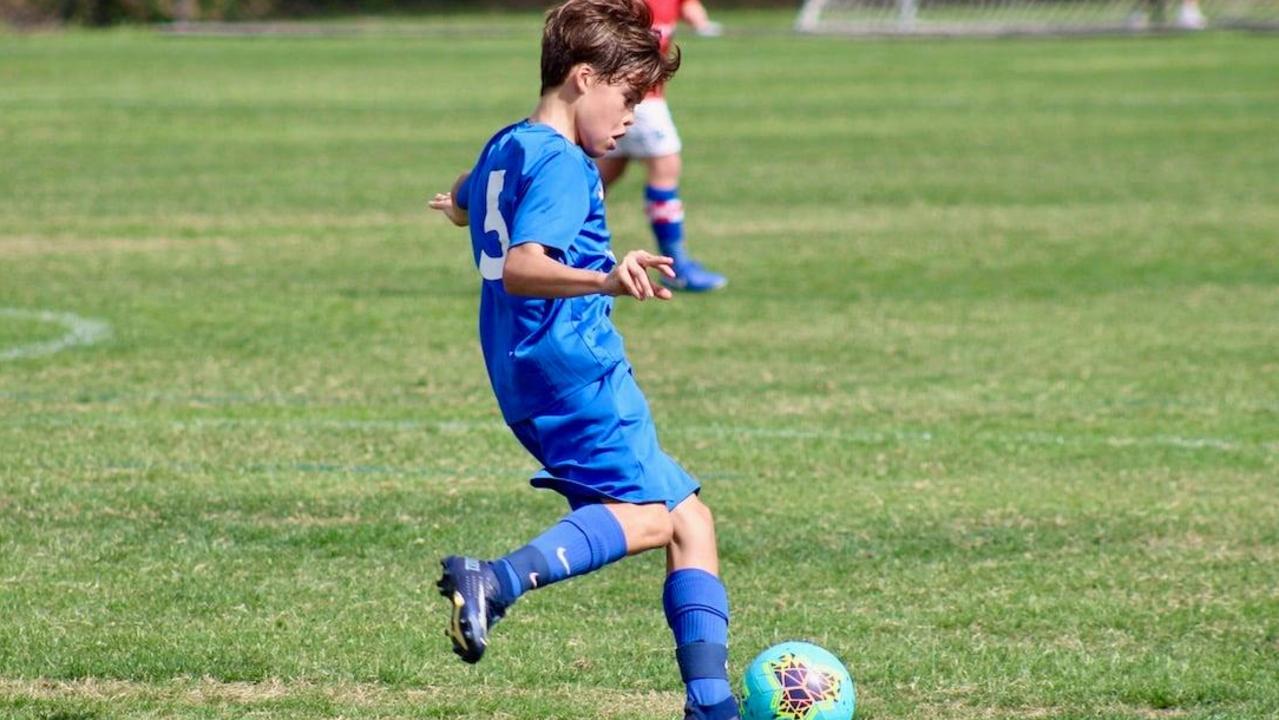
(710, 430)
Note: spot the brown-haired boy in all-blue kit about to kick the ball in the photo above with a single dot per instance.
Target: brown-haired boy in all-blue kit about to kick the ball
(535, 205)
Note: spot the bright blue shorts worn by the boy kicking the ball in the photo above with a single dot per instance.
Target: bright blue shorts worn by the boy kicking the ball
(599, 443)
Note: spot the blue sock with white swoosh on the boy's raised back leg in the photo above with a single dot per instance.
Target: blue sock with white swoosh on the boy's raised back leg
(585, 540)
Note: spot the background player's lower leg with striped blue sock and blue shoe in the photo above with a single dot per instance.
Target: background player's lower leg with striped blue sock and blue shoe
(666, 214)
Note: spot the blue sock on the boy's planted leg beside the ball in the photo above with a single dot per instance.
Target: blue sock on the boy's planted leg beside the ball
(698, 613)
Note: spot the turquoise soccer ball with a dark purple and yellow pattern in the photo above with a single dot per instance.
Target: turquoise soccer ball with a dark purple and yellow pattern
(797, 681)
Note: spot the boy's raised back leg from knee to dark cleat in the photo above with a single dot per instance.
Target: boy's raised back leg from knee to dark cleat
(585, 540)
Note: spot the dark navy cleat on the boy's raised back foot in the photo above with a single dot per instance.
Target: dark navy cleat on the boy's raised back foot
(471, 589)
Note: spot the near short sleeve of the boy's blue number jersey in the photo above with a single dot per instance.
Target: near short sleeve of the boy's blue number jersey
(554, 207)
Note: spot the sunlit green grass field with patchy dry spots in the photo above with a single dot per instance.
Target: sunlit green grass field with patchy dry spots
(991, 407)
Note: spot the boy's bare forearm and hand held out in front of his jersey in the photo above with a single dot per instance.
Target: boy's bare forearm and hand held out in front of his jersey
(531, 273)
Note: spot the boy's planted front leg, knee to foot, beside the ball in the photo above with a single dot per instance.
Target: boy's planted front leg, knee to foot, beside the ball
(698, 612)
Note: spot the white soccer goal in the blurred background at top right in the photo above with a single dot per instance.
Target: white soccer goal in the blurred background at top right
(1030, 17)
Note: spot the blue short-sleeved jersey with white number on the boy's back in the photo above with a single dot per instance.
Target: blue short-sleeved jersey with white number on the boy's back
(533, 185)
